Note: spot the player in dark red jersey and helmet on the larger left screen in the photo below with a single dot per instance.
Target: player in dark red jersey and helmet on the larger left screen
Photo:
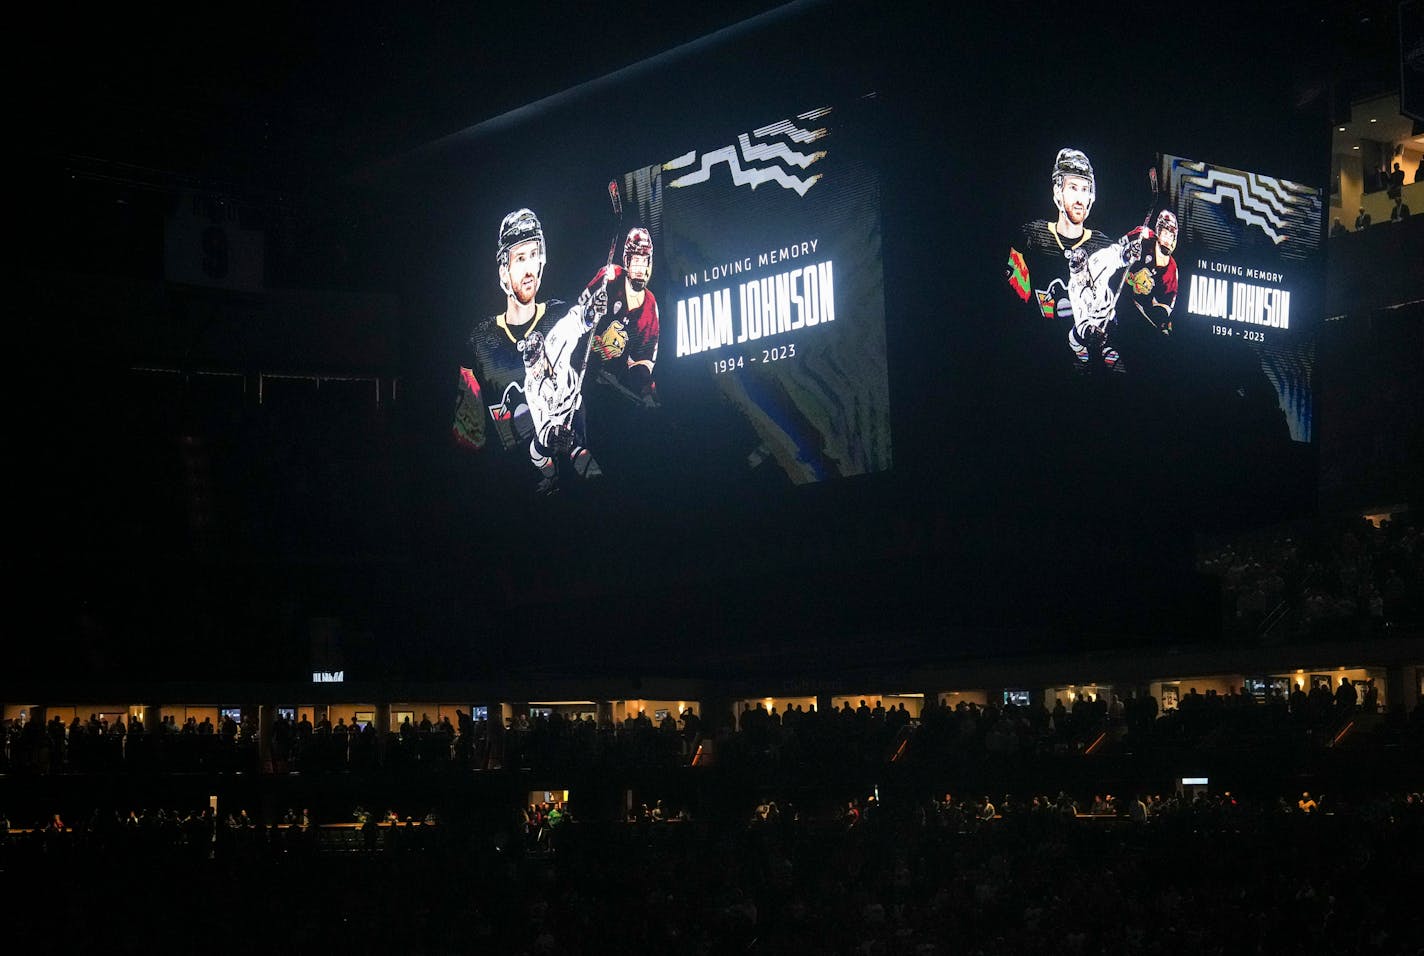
(626, 341)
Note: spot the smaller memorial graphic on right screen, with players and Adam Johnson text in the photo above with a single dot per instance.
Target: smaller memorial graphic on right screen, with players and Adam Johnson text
(1221, 261)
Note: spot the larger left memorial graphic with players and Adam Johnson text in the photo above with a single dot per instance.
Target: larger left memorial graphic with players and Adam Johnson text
(714, 308)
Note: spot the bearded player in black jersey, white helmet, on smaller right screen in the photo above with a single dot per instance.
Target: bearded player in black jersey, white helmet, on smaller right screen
(1039, 263)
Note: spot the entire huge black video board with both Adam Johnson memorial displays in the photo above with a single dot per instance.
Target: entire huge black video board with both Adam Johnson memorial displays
(701, 296)
